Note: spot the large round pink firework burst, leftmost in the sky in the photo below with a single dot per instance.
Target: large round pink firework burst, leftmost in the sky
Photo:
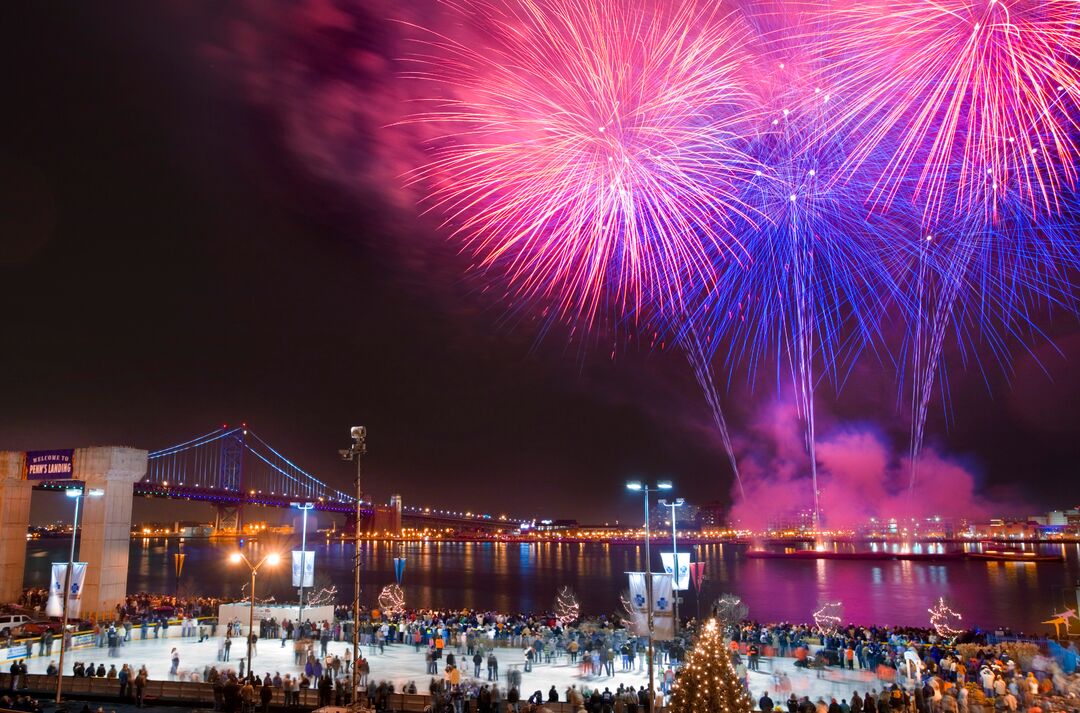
(591, 153)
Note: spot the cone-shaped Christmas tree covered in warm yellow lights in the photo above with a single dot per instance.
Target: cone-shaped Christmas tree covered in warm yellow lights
(708, 683)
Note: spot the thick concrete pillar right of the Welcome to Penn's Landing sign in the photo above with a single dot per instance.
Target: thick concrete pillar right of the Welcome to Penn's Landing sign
(106, 522)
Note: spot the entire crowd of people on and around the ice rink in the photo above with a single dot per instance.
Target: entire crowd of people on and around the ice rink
(904, 670)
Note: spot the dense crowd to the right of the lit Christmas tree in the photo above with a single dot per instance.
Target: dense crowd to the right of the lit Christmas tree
(912, 670)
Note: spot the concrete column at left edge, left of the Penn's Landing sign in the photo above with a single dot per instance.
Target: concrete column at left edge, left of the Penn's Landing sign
(15, 519)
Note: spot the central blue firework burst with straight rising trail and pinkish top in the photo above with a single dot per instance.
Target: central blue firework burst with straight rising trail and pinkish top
(815, 287)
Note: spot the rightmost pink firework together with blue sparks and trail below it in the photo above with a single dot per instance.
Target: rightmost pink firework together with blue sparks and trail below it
(975, 105)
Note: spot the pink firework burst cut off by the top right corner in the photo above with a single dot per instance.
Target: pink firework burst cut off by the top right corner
(964, 90)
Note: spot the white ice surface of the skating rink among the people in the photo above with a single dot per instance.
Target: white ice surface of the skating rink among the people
(401, 665)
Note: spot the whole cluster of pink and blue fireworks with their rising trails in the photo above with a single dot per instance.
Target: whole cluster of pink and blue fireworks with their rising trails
(636, 162)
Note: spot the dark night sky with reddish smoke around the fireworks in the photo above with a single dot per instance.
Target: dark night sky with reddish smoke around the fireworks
(201, 224)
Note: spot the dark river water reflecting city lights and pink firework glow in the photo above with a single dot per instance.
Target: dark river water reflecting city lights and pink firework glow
(525, 579)
